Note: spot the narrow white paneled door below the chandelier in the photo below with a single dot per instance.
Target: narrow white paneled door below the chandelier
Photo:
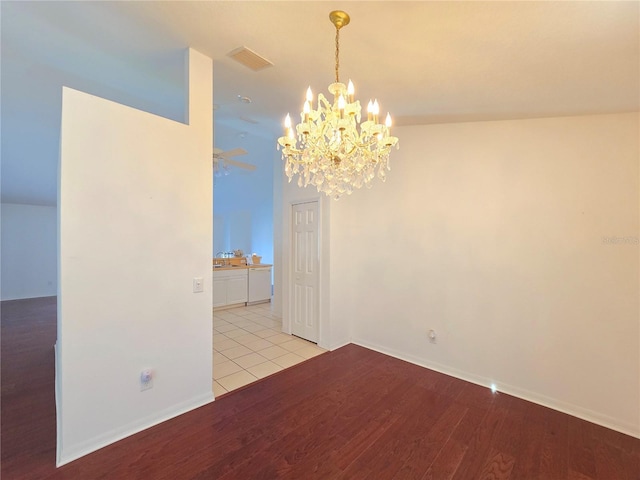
(304, 262)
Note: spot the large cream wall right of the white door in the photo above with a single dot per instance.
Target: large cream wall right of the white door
(496, 235)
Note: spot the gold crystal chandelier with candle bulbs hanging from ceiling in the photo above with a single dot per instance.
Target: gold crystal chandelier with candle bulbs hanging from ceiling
(331, 148)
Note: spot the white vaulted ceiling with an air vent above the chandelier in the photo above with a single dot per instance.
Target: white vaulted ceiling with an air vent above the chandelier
(426, 62)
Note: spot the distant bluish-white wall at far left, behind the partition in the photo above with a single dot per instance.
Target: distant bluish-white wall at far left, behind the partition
(29, 245)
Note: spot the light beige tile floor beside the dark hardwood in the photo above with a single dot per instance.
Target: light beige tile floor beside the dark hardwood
(248, 344)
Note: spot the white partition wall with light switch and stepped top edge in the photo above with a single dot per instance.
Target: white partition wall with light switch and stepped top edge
(135, 228)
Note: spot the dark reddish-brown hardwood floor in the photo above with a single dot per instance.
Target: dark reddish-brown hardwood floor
(348, 414)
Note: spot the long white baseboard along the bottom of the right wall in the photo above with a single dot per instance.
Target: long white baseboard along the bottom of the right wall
(553, 403)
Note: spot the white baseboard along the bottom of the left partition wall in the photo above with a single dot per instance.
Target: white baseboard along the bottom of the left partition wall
(69, 454)
